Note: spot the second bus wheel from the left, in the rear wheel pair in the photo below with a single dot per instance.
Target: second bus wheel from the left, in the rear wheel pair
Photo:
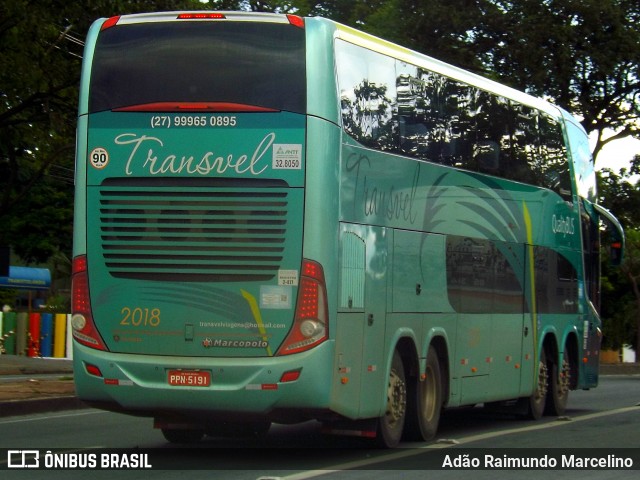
(430, 397)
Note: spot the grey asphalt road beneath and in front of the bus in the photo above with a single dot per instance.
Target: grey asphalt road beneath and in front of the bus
(598, 420)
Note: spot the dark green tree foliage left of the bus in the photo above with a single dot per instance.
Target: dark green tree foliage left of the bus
(42, 43)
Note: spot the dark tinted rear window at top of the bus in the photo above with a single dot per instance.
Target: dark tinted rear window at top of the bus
(257, 64)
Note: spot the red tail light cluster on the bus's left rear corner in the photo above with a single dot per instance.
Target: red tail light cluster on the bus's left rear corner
(82, 326)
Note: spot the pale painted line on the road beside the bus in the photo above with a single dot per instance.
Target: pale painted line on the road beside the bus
(411, 449)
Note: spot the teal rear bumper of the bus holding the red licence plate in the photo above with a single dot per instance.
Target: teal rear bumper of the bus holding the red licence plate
(269, 388)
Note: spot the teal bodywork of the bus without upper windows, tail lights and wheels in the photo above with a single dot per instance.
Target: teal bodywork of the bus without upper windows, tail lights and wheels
(194, 233)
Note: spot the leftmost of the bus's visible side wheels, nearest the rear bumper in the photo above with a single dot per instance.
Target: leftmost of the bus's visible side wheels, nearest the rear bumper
(391, 424)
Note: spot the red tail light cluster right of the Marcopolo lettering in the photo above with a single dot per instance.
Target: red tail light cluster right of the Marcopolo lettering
(311, 322)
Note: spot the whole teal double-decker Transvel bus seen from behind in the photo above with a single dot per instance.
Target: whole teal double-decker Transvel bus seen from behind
(281, 219)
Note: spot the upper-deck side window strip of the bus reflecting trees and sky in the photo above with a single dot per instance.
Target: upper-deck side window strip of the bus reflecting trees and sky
(395, 106)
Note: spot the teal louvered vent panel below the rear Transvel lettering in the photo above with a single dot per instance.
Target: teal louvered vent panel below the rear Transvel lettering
(193, 233)
